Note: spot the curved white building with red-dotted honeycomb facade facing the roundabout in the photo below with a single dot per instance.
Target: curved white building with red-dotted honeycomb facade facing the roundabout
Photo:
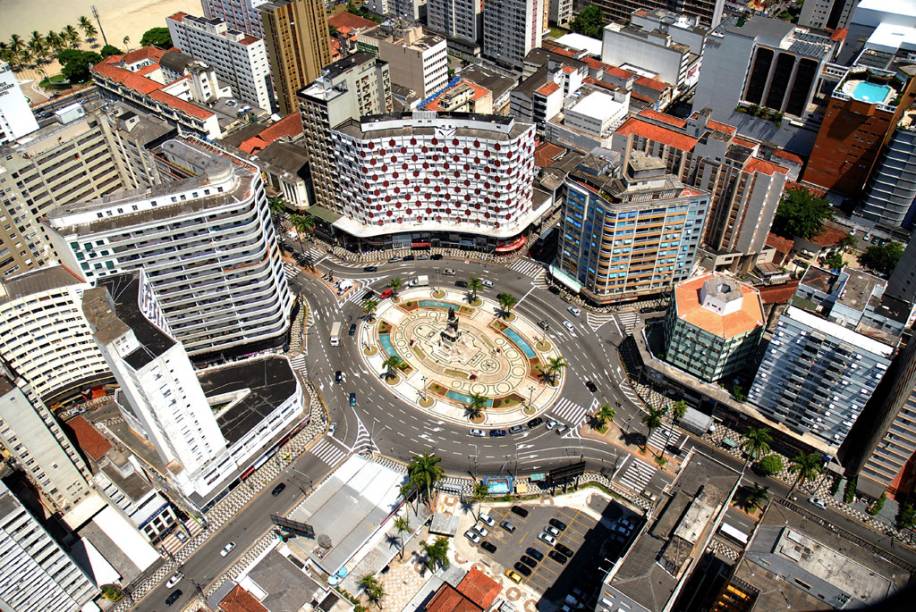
(427, 172)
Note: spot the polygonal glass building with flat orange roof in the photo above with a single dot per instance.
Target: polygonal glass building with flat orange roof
(713, 326)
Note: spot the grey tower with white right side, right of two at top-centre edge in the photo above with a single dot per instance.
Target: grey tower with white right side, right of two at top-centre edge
(512, 28)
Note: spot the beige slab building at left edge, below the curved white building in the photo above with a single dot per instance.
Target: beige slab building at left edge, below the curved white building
(34, 439)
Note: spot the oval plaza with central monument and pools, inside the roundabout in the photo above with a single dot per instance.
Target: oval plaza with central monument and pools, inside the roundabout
(462, 357)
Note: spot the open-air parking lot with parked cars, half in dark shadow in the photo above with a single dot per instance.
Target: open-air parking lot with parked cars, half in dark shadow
(591, 540)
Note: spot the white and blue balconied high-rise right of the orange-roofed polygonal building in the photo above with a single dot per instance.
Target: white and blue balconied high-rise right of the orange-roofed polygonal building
(830, 350)
